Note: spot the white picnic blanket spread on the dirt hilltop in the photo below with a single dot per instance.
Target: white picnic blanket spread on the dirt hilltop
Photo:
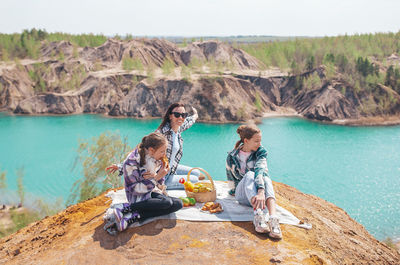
(232, 210)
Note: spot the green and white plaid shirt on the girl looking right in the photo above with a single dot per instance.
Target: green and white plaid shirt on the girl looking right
(256, 162)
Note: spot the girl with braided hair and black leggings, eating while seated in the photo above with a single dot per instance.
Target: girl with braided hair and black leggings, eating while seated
(144, 173)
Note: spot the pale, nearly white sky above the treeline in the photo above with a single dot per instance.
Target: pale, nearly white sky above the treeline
(202, 17)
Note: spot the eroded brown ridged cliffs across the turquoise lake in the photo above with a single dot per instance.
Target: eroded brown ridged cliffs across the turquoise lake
(69, 80)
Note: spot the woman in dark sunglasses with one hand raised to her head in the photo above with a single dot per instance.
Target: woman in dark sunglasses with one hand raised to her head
(175, 121)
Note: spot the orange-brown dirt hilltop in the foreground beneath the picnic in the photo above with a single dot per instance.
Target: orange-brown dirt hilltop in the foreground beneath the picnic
(76, 236)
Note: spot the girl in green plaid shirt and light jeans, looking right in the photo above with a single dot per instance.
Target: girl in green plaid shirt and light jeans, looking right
(247, 173)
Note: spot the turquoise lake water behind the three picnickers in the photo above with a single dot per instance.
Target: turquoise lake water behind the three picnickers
(356, 168)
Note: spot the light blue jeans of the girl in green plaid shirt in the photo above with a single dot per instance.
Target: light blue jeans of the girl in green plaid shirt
(246, 189)
